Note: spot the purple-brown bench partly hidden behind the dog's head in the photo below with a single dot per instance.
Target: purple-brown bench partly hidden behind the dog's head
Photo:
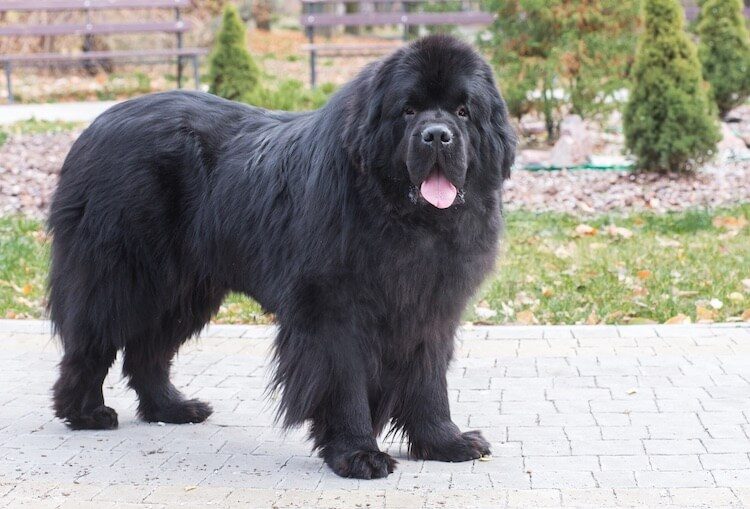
(408, 13)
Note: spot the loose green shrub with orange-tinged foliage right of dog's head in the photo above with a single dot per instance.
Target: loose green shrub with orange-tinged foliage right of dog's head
(579, 47)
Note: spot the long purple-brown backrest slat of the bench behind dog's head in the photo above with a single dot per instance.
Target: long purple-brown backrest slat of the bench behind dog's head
(394, 18)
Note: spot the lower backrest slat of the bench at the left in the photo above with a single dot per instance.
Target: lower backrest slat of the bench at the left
(95, 28)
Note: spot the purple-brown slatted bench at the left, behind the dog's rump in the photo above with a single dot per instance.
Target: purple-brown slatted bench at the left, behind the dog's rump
(89, 28)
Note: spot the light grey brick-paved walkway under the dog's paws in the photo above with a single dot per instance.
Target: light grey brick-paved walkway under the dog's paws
(578, 416)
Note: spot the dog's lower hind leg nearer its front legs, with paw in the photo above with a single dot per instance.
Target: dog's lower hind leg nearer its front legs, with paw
(147, 363)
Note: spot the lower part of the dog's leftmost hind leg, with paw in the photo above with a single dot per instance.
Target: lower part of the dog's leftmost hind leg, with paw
(78, 397)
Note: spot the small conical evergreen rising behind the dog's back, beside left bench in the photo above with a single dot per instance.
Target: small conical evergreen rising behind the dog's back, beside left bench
(232, 72)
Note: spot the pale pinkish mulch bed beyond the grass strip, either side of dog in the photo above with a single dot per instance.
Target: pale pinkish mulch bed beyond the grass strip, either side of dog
(29, 165)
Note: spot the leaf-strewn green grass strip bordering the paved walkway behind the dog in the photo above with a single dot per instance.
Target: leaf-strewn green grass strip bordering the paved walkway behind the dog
(554, 269)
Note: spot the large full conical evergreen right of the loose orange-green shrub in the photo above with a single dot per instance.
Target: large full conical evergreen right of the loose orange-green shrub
(669, 121)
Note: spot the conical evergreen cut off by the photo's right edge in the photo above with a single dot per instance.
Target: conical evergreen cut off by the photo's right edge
(724, 50)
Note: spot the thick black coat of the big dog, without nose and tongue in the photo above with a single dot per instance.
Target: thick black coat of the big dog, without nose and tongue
(169, 201)
